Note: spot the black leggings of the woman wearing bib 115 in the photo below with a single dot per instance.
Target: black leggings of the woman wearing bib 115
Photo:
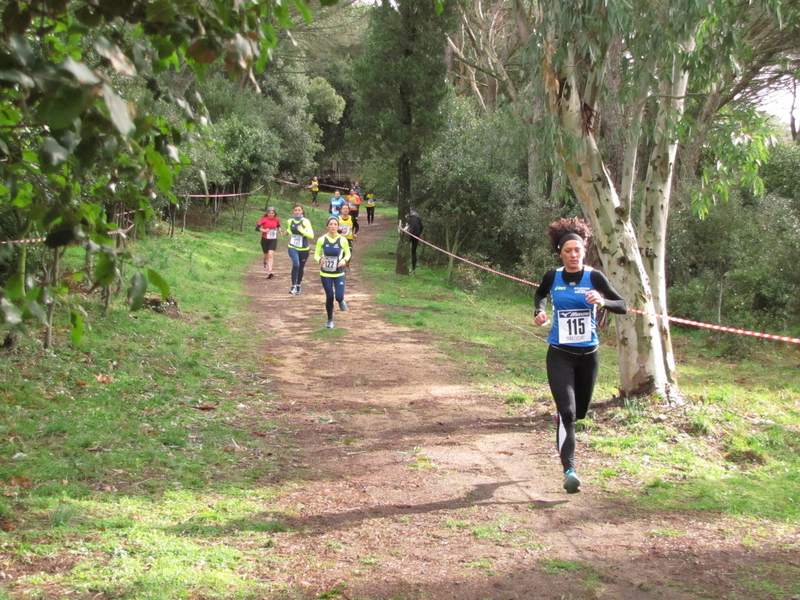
(571, 373)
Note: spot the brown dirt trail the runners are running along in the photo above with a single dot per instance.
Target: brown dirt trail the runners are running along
(406, 483)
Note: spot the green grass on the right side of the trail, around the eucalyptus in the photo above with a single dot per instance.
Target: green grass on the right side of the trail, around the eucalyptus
(732, 448)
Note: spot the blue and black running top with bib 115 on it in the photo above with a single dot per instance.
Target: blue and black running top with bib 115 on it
(575, 319)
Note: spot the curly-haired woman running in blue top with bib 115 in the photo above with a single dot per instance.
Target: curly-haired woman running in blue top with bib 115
(572, 362)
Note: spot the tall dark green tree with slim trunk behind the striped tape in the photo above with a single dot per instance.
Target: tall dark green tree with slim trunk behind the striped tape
(402, 80)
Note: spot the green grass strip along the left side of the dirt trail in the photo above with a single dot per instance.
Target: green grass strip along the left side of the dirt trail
(107, 457)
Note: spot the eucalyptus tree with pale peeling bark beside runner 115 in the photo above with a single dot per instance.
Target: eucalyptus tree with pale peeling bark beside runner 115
(652, 49)
